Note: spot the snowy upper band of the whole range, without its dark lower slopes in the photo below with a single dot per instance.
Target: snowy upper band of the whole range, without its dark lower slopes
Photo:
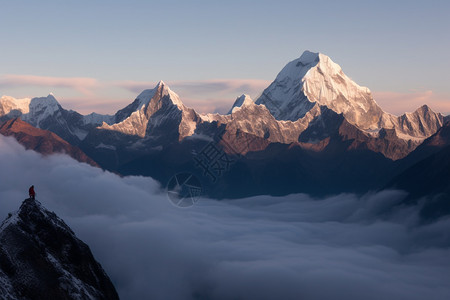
(294, 98)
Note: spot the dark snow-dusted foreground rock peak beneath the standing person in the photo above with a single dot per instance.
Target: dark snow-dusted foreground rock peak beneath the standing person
(41, 258)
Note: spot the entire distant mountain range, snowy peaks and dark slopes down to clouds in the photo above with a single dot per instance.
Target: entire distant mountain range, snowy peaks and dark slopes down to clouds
(312, 130)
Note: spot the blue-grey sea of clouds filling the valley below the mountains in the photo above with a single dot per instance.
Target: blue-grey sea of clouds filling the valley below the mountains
(292, 247)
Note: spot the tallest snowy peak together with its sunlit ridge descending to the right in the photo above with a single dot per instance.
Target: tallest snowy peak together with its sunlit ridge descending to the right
(315, 78)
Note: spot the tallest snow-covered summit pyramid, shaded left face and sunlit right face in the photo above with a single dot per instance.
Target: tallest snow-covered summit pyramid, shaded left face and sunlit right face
(315, 78)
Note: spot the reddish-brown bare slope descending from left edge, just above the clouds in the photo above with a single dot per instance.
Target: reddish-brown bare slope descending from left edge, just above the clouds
(42, 141)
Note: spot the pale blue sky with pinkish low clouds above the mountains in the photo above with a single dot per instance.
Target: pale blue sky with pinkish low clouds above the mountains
(398, 50)
